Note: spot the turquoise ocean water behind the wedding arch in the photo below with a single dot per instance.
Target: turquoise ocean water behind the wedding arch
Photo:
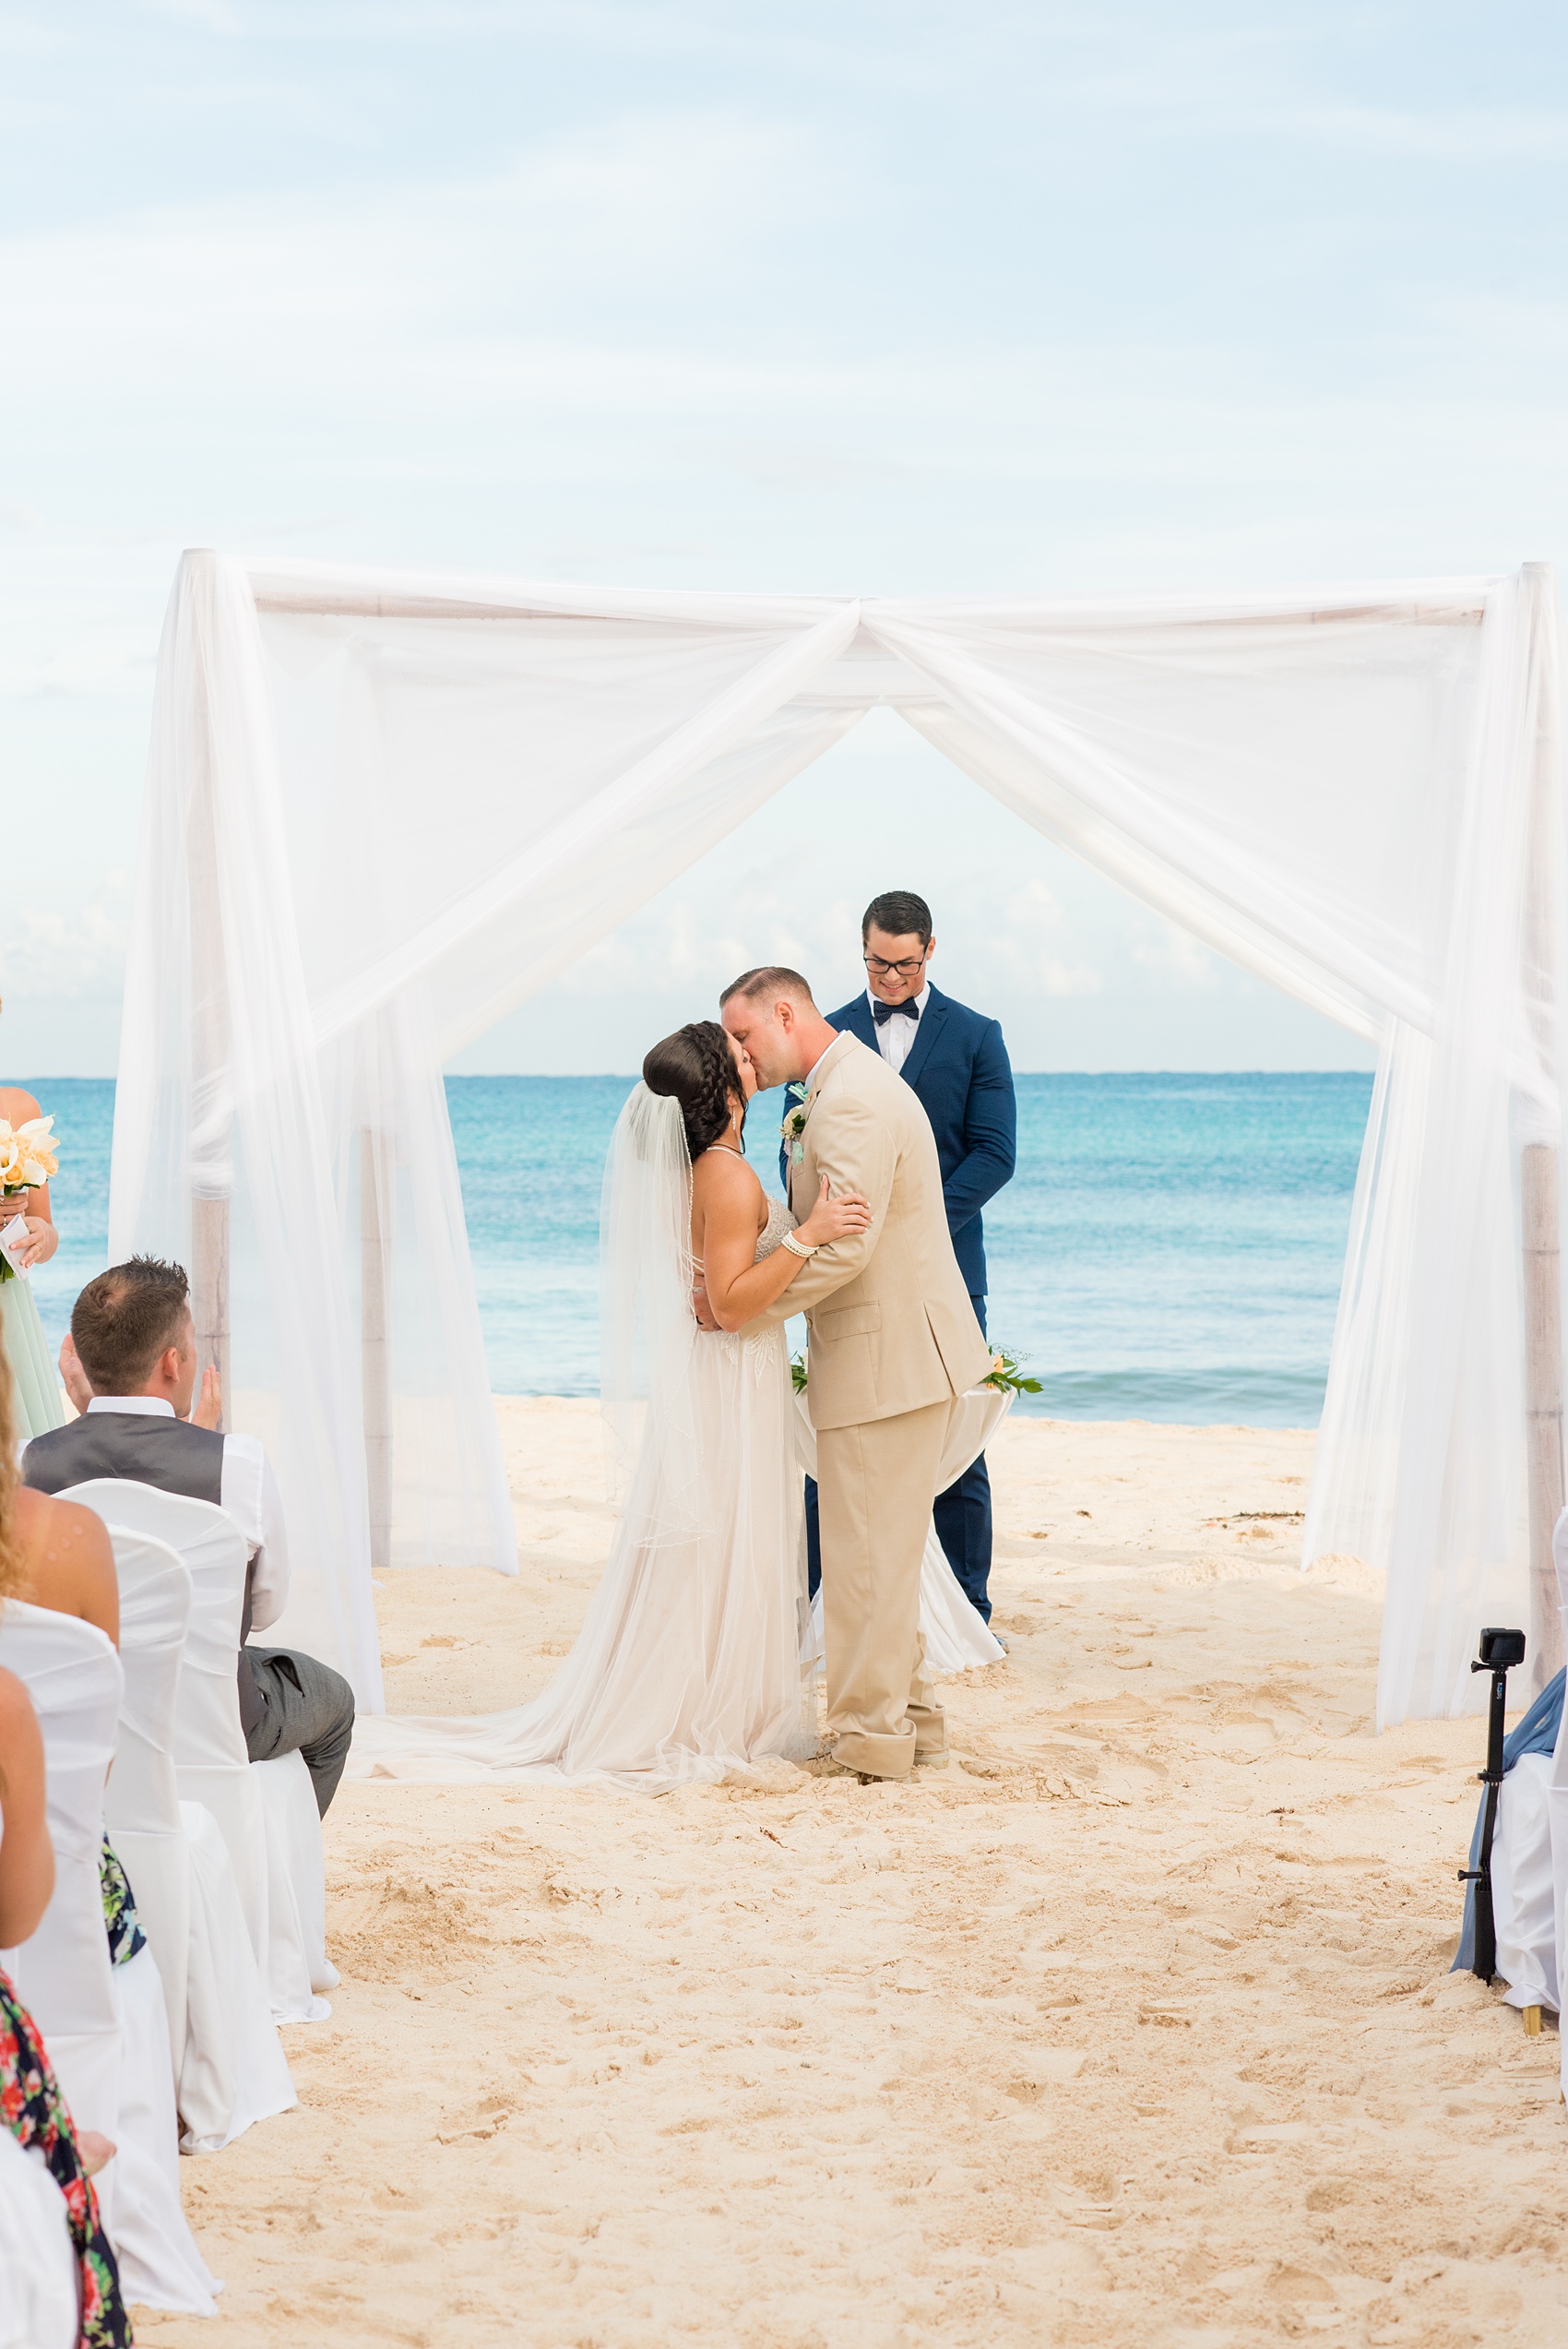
(1170, 1246)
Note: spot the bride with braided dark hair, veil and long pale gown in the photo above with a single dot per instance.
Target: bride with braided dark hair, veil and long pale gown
(691, 1655)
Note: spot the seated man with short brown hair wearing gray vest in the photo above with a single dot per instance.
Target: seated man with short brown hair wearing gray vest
(135, 1345)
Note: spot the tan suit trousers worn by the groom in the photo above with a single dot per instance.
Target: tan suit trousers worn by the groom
(874, 1488)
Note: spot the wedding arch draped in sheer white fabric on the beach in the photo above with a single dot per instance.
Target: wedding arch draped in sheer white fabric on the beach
(384, 809)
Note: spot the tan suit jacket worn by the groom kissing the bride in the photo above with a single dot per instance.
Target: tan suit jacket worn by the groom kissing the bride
(891, 1319)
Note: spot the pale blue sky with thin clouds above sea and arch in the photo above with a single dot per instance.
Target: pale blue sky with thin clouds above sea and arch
(891, 299)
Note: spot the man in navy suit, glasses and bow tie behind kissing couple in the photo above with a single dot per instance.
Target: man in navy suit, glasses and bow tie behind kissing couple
(957, 1065)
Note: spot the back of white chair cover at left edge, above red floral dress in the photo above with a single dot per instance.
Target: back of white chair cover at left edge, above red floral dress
(62, 1974)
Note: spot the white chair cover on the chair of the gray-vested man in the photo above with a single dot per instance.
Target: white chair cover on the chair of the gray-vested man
(210, 1761)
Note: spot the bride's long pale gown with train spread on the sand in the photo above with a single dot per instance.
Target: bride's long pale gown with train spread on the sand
(691, 1657)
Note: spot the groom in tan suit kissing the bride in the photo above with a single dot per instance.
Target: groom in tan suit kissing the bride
(893, 1345)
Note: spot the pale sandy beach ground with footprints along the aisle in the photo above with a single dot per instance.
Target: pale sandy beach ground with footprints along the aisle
(1135, 2026)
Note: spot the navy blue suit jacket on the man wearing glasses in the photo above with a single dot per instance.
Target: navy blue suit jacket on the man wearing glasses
(964, 1082)
